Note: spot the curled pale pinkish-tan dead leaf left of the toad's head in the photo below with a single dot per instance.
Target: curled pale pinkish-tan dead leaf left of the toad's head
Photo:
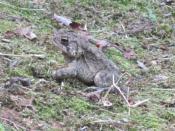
(26, 32)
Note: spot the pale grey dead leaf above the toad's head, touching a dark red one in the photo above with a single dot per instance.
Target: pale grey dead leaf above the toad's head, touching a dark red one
(62, 20)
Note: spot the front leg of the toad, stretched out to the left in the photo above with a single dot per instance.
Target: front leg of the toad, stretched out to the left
(66, 72)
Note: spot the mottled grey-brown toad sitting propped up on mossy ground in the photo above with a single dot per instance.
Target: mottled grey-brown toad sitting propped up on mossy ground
(85, 61)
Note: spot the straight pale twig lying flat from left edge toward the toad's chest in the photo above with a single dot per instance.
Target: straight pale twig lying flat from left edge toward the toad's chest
(23, 55)
